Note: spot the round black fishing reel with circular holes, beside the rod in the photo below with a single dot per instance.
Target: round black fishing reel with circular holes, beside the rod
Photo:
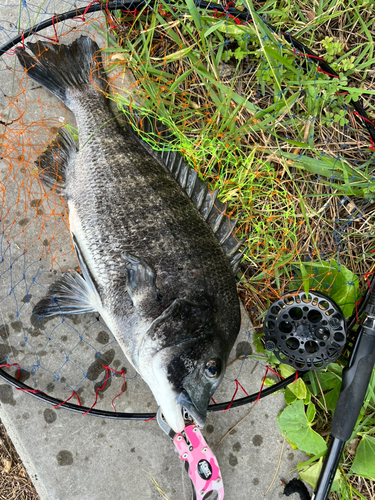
(306, 333)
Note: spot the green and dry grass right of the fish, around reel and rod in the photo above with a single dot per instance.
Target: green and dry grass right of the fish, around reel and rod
(281, 143)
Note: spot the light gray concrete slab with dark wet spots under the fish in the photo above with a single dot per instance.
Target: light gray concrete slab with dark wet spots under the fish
(74, 457)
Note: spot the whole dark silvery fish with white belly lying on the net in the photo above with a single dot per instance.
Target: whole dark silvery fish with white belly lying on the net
(157, 253)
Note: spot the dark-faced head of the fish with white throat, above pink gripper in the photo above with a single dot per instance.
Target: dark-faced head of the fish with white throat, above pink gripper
(190, 361)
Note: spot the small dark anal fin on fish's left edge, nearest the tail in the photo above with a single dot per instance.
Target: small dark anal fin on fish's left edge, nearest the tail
(54, 160)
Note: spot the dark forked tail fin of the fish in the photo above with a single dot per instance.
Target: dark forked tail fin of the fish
(64, 68)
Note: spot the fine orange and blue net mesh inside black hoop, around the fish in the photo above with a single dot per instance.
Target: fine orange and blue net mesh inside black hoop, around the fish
(258, 119)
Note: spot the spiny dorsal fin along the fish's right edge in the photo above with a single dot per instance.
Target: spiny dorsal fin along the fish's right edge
(211, 209)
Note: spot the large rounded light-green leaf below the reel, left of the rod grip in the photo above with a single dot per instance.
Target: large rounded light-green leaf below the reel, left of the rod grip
(296, 427)
